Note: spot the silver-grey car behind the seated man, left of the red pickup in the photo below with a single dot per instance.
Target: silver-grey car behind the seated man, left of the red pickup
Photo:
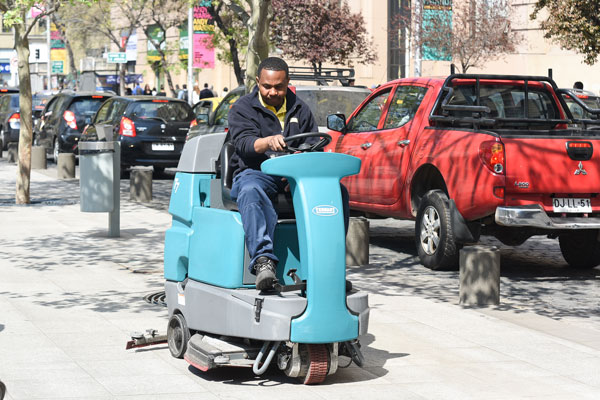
(322, 101)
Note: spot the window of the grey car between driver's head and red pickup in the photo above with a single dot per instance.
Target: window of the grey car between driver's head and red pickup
(323, 102)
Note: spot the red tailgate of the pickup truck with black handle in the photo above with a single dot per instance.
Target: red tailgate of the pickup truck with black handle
(545, 165)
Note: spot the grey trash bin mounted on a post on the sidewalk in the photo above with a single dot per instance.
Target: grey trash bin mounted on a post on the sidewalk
(99, 180)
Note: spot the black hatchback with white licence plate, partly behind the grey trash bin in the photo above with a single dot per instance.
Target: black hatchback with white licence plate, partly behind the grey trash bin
(151, 130)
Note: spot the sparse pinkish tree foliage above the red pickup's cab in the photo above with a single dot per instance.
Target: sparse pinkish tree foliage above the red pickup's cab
(479, 31)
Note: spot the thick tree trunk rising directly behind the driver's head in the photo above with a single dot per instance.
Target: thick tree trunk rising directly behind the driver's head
(258, 39)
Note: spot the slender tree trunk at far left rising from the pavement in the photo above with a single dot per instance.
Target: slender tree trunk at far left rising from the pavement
(25, 133)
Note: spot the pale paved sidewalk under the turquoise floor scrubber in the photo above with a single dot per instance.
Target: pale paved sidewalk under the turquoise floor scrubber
(70, 296)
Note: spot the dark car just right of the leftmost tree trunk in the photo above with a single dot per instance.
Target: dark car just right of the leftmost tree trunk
(64, 118)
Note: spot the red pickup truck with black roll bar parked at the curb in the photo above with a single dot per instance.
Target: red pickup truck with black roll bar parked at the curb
(476, 154)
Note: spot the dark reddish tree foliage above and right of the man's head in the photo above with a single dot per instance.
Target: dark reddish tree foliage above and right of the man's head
(321, 31)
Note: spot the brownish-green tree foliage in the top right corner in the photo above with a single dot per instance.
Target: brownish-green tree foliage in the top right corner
(573, 24)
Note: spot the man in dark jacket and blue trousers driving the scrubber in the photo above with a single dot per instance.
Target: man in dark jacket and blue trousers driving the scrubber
(258, 123)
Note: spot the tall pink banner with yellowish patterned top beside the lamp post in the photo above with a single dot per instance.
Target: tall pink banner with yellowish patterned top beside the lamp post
(204, 29)
